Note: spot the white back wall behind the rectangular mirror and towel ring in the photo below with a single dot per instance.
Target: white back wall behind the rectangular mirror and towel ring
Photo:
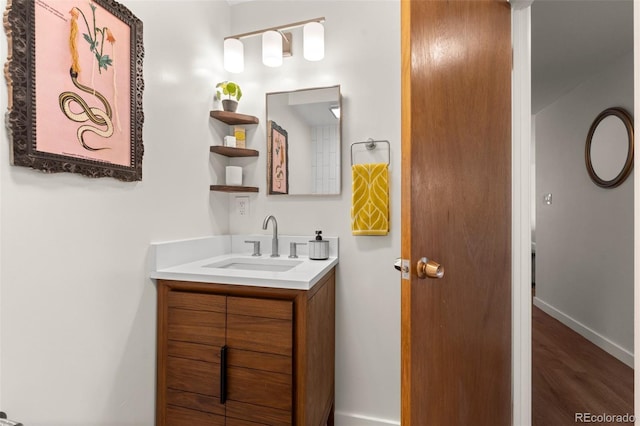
(362, 54)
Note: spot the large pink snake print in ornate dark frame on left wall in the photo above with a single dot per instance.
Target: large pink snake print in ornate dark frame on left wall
(75, 83)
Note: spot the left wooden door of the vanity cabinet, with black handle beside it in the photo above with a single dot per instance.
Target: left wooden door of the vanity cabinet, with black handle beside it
(196, 333)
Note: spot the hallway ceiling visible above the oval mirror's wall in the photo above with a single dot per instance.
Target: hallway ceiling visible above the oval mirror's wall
(572, 40)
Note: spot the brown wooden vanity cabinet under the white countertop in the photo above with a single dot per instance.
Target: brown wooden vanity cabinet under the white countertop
(241, 356)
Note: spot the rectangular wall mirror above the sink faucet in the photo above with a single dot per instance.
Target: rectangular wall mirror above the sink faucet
(303, 141)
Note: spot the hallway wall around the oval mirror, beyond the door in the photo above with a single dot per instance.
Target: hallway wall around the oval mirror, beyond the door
(584, 240)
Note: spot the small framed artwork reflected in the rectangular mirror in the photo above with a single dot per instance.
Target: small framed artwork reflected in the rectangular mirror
(278, 159)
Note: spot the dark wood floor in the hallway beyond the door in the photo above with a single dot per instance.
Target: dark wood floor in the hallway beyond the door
(571, 375)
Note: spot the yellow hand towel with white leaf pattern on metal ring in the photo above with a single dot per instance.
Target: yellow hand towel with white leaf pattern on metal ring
(370, 199)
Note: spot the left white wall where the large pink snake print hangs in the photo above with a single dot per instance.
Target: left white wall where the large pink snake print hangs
(77, 311)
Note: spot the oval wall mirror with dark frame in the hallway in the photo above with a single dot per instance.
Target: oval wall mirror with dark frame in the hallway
(609, 148)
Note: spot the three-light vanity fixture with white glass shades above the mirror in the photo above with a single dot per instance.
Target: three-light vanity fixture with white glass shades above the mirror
(276, 44)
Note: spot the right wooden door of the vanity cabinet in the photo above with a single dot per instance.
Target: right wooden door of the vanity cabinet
(260, 342)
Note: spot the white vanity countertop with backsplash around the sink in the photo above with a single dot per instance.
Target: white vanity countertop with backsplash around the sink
(190, 260)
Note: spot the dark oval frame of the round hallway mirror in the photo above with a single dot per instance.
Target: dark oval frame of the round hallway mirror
(625, 117)
